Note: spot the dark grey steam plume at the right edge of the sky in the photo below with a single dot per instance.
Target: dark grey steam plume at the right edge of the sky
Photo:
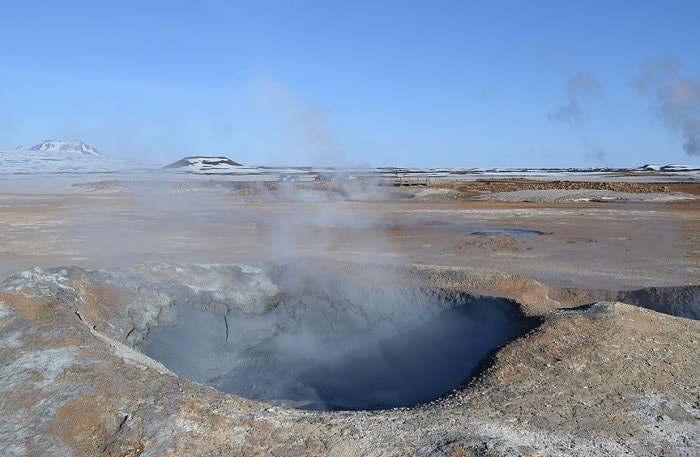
(676, 99)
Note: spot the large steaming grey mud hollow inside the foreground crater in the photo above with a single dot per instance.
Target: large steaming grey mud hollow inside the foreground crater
(320, 335)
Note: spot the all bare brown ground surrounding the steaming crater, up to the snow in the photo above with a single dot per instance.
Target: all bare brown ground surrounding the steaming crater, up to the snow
(603, 379)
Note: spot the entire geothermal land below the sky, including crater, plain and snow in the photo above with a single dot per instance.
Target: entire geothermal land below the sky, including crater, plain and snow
(207, 308)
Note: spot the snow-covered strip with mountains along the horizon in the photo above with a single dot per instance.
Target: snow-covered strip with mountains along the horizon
(76, 157)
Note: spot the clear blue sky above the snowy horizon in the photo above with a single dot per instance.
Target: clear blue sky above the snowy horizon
(403, 83)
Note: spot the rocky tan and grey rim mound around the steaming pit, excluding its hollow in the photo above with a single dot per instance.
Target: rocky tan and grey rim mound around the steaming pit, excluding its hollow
(594, 378)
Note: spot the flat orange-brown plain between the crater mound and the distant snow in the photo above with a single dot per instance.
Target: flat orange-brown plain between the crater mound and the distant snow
(593, 244)
